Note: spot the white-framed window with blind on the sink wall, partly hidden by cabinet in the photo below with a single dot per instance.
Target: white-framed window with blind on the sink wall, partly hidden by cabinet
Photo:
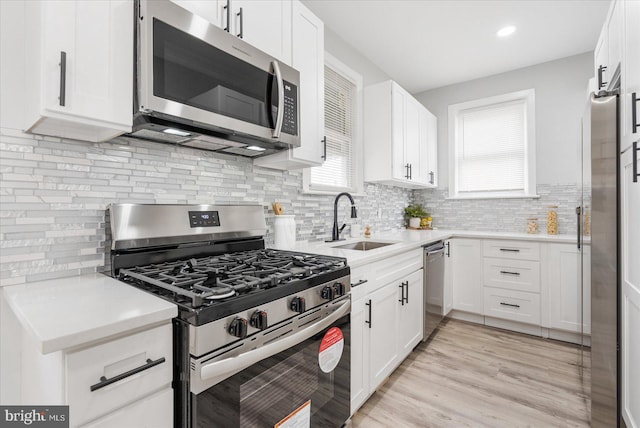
(342, 109)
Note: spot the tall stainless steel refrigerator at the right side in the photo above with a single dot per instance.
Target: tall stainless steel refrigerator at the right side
(599, 214)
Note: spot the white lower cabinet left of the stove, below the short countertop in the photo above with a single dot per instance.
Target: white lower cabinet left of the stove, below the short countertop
(124, 379)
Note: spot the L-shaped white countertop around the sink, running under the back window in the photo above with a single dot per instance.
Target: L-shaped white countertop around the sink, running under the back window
(406, 240)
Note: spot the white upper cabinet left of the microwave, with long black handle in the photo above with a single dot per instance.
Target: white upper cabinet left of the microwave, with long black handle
(80, 68)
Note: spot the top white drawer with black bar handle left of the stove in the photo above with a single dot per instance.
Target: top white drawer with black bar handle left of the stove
(85, 369)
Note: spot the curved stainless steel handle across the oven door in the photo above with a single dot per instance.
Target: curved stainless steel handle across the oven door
(220, 370)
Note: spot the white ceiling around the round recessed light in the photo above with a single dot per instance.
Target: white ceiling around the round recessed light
(424, 44)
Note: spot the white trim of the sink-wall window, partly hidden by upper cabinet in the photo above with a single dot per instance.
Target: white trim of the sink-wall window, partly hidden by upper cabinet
(358, 174)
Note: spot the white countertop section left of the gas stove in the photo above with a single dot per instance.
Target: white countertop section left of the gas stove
(70, 312)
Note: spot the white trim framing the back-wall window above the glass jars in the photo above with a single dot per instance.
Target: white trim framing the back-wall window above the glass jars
(530, 147)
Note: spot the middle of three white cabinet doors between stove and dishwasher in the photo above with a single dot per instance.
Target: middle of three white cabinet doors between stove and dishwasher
(383, 334)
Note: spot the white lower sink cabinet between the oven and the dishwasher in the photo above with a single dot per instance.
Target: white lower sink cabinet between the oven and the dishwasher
(386, 320)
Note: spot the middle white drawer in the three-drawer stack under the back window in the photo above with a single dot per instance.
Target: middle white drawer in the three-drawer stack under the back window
(518, 275)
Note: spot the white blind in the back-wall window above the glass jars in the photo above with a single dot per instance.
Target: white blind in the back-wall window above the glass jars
(491, 148)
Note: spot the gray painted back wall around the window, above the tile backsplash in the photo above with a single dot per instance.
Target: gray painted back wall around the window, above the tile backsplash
(561, 97)
